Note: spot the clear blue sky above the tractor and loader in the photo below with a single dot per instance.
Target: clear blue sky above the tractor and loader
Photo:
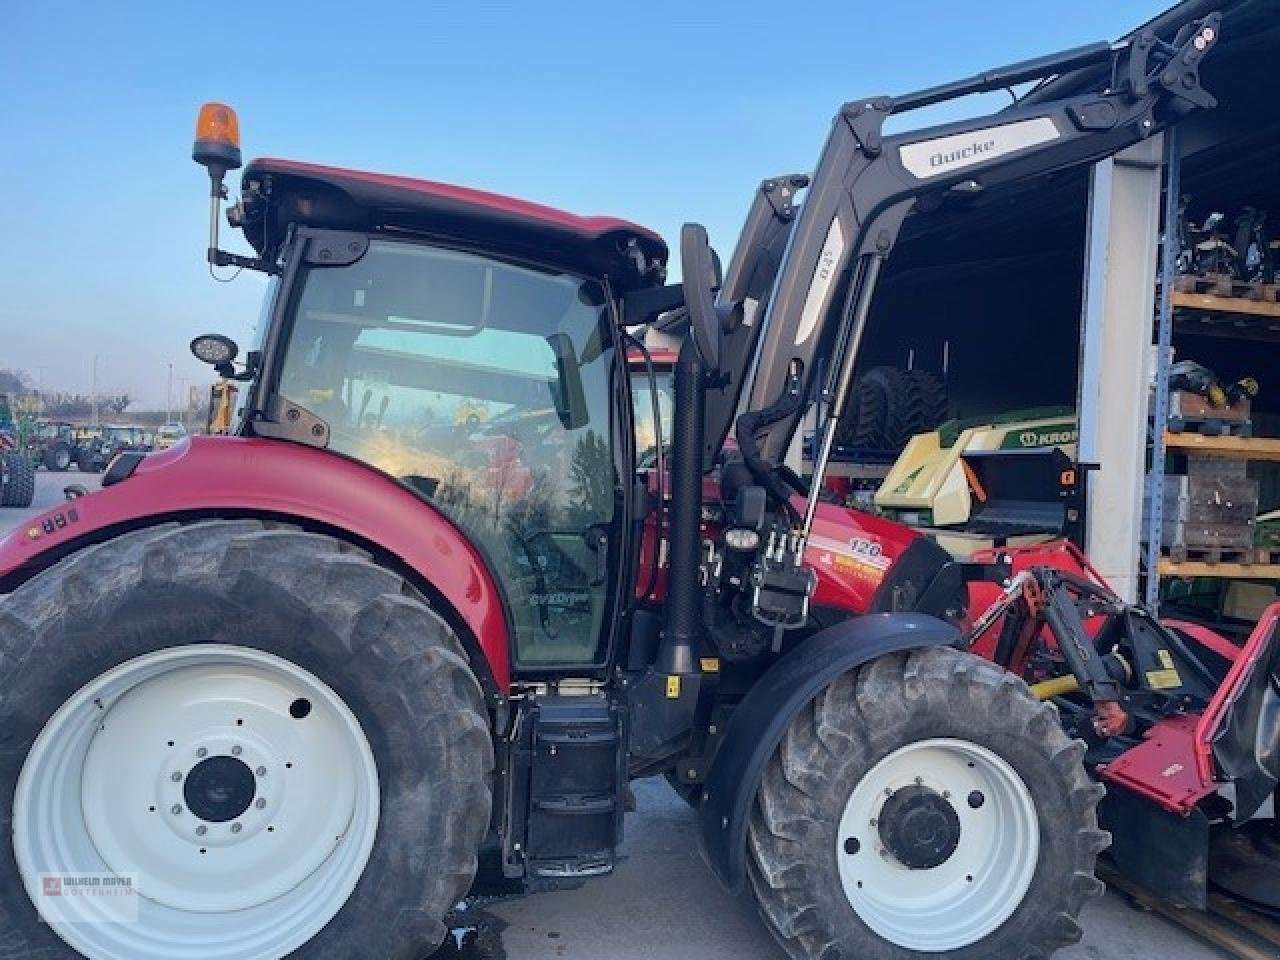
(655, 112)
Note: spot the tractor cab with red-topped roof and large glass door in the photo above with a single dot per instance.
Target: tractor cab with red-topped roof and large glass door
(469, 348)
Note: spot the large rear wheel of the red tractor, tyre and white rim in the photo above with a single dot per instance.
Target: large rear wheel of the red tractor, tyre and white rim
(324, 618)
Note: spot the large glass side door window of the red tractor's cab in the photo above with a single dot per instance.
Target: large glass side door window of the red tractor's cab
(484, 387)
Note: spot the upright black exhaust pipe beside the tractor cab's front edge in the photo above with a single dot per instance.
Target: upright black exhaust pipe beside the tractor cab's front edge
(683, 616)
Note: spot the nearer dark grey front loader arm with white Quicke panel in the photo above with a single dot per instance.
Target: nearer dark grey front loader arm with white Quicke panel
(867, 182)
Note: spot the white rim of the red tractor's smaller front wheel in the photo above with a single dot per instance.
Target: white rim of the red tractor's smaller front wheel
(989, 856)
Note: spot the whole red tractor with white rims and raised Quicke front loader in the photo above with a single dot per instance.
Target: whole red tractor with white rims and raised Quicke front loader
(281, 687)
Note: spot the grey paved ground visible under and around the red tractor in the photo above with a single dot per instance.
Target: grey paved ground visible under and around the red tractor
(662, 904)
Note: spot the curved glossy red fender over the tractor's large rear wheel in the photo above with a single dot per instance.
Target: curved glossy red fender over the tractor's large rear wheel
(208, 474)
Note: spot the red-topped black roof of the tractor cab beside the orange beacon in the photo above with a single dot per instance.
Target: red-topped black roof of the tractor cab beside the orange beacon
(330, 196)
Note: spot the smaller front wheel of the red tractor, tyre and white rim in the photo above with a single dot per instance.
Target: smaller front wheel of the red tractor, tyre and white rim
(924, 807)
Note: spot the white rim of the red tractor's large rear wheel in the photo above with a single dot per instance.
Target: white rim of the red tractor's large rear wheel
(232, 788)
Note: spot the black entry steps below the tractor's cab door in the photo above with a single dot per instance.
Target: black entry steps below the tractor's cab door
(566, 788)
